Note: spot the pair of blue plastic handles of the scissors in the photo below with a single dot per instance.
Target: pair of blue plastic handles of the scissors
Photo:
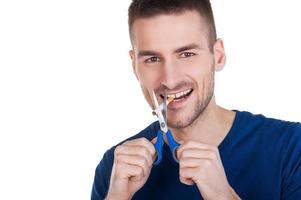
(173, 145)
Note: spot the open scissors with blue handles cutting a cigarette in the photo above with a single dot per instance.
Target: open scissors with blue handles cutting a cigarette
(161, 112)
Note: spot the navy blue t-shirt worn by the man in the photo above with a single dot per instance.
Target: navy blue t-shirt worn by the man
(261, 157)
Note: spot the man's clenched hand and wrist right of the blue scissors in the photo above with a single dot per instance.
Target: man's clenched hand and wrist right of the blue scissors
(200, 164)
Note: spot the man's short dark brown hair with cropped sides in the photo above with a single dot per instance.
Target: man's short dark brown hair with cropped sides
(151, 8)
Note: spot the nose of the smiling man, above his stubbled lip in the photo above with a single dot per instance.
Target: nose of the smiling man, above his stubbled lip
(170, 74)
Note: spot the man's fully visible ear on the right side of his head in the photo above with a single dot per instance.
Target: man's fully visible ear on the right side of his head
(219, 55)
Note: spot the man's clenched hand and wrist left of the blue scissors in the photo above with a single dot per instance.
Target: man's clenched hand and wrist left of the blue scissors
(133, 161)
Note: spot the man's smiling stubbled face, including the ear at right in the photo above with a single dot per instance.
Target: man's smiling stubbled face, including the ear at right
(171, 55)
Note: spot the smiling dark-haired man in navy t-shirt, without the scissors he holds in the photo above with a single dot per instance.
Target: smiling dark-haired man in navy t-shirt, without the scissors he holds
(223, 154)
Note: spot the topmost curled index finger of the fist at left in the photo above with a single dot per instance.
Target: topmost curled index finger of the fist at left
(135, 151)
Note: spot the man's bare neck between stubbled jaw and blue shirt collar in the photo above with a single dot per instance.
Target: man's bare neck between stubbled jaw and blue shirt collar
(210, 127)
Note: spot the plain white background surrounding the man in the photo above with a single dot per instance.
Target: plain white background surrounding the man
(67, 92)
